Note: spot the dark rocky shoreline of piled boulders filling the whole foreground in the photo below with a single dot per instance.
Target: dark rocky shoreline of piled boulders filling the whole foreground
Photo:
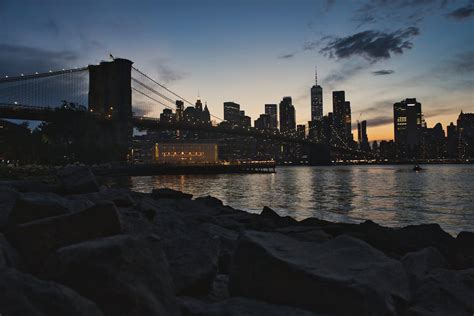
(74, 248)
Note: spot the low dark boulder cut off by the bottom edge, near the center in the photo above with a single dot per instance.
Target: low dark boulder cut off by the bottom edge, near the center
(237, 306)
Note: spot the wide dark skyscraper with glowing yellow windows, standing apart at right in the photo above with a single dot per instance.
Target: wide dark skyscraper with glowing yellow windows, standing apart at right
(408, 123)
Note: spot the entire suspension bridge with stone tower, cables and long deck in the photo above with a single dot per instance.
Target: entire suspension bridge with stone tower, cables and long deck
(122, 96)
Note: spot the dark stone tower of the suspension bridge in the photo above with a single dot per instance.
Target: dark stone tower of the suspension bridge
(110, 95)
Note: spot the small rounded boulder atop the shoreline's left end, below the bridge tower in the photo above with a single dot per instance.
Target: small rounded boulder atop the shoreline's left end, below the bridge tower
(77, 179)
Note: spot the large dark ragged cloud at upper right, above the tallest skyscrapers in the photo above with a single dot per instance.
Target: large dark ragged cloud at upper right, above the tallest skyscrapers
(371, 45)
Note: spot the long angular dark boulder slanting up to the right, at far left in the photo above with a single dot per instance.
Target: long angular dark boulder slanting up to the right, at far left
(36, 240)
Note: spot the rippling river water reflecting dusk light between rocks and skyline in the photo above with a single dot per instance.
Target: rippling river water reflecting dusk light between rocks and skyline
(388, 195)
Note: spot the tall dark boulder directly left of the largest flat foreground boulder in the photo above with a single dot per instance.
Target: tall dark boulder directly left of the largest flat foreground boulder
(192, 252)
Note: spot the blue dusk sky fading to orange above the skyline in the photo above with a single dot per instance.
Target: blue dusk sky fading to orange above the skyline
(255, 52)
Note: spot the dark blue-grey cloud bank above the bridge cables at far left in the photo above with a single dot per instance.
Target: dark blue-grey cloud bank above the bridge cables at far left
(17, 59)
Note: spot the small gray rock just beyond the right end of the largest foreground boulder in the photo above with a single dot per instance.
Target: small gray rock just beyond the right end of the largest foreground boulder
(419, 263)
